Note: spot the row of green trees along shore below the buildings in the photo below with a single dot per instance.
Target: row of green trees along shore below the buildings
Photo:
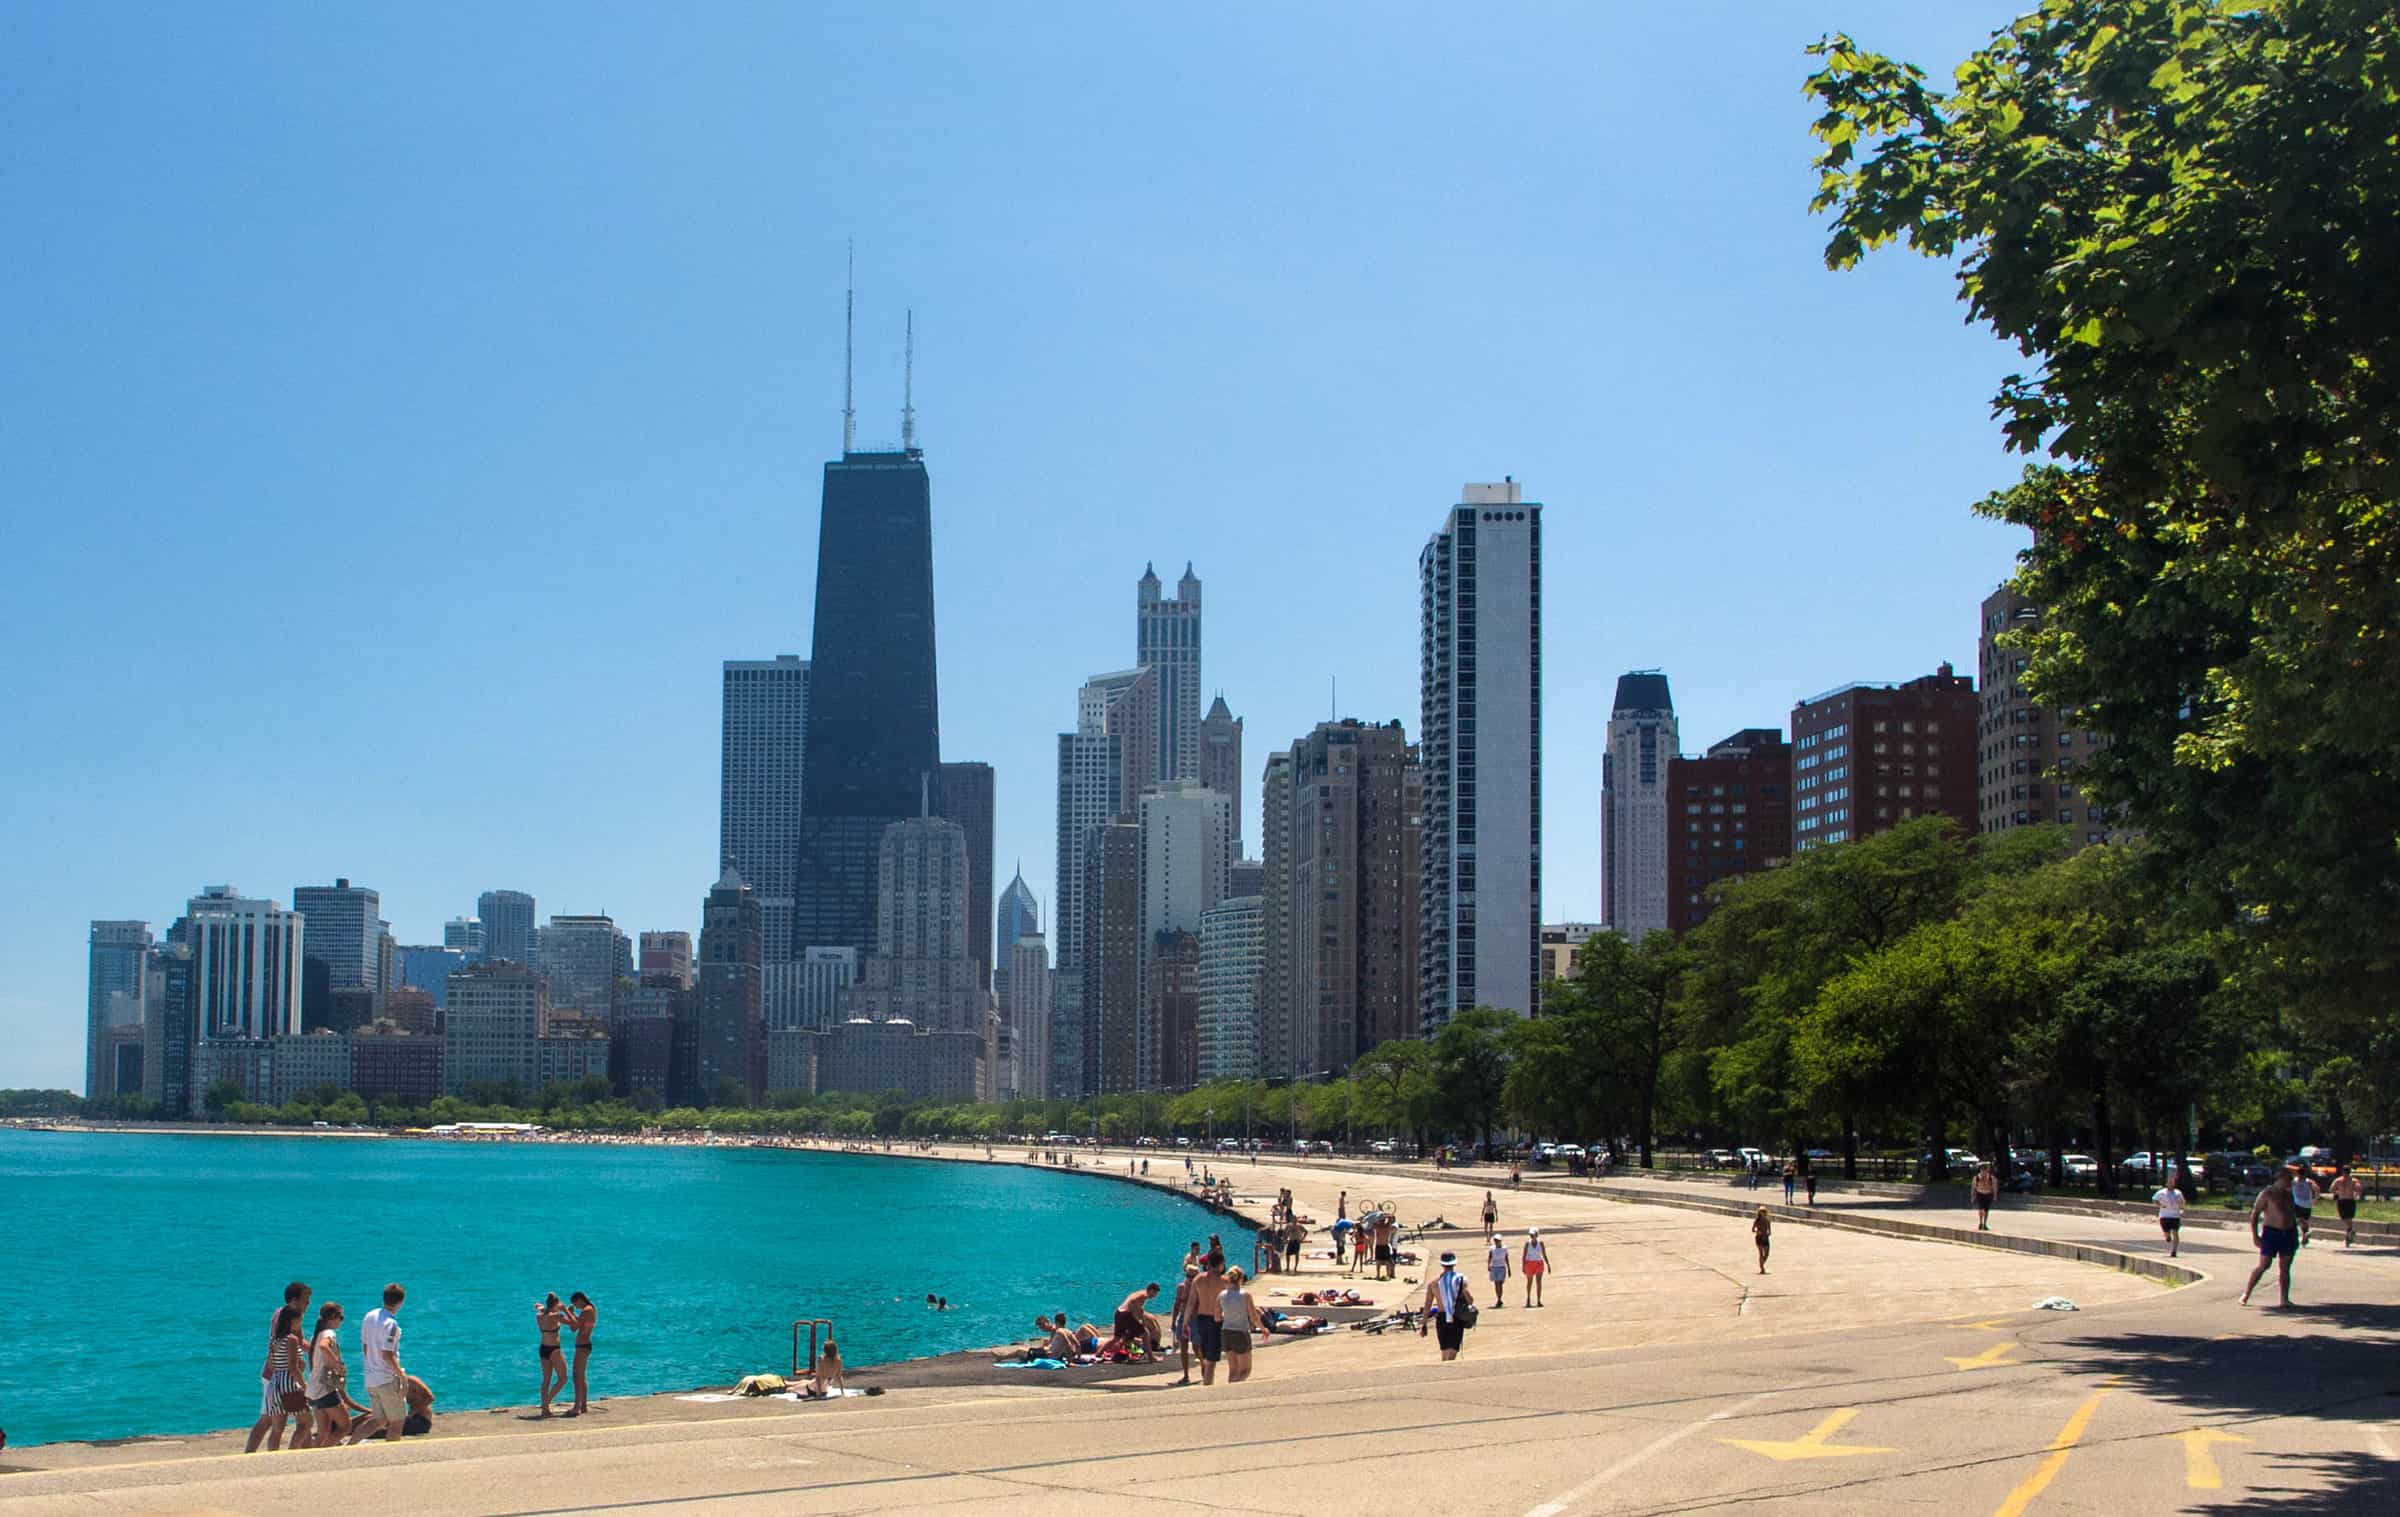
(1916, 988)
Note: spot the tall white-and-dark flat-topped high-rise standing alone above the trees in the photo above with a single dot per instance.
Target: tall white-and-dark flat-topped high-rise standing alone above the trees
(1480, 673)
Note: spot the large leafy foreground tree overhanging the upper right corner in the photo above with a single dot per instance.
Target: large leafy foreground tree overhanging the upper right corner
(2183, 212)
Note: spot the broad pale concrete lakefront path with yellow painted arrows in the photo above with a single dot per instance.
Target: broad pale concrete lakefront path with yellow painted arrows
(1864, 1374)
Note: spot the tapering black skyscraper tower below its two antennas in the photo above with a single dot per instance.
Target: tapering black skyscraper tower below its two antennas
(875, 724)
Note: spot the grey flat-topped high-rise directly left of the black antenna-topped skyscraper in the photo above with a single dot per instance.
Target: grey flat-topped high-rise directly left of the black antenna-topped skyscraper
(767, 726)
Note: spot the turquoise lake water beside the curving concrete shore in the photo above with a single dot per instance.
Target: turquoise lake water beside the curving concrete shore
(138, 1276)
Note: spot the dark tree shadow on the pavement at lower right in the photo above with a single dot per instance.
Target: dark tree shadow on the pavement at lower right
(2334, 1367)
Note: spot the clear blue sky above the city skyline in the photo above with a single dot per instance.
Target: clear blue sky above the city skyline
(407, 409)
